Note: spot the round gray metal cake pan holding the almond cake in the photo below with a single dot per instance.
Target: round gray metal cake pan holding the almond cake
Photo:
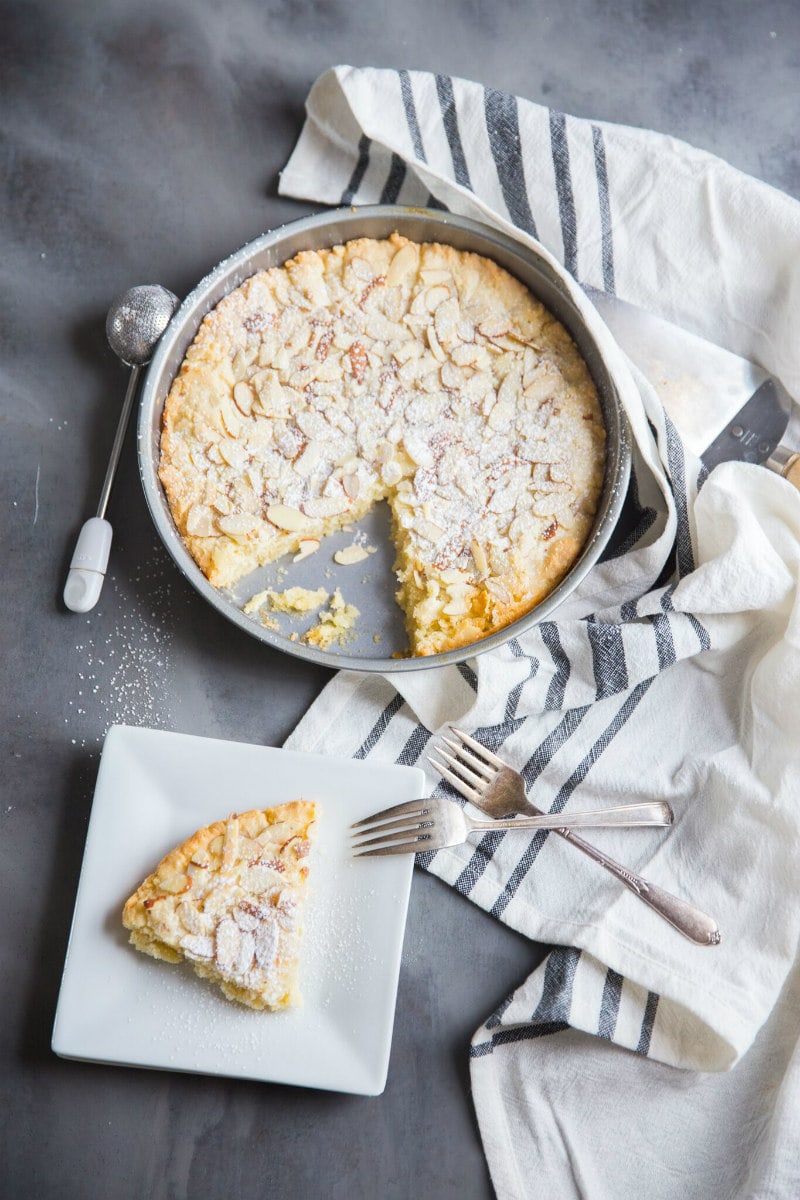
(380, 638)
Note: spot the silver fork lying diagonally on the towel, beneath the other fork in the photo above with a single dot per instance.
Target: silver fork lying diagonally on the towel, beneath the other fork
(498, 790)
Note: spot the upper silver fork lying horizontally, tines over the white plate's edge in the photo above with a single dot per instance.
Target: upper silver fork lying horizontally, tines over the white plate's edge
(436, 823)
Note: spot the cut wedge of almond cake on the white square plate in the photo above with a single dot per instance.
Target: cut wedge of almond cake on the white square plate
(231, 901)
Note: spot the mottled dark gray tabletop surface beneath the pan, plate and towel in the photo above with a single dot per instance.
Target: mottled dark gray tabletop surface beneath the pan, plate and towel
(142, 142)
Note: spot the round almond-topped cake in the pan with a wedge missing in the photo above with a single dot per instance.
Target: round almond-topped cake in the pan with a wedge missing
(386, 370)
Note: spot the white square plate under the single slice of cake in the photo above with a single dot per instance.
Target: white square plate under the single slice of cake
(154, 790)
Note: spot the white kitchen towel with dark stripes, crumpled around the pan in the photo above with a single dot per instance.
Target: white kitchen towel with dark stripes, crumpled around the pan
(671, 674)
